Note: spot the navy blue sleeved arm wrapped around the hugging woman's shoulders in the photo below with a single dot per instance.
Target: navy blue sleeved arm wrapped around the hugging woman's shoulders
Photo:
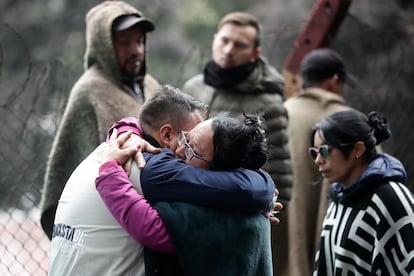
(166, 178)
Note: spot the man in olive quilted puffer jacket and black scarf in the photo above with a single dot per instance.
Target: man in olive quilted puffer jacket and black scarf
(239, 80)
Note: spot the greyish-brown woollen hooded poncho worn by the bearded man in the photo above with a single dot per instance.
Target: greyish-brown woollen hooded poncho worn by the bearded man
(97, 99)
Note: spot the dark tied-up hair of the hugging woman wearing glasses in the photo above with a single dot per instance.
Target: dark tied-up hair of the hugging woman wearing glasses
(239, 144)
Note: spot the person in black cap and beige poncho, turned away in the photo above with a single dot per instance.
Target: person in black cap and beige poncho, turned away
(323, 79)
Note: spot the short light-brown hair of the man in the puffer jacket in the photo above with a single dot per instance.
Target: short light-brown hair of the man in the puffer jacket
(242, 19)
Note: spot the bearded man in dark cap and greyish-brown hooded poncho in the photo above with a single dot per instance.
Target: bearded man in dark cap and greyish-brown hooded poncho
(114, 85)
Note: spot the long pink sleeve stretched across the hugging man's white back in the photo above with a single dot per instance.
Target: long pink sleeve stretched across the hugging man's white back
(130, 209)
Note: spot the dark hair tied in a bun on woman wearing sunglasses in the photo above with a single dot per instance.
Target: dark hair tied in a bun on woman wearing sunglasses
(343, 129)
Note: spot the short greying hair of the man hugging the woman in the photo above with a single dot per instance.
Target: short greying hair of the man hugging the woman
(169, 105)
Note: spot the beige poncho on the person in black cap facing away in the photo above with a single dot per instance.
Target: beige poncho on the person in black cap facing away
(309, 194)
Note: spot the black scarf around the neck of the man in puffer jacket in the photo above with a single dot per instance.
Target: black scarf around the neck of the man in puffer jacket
(225, 78)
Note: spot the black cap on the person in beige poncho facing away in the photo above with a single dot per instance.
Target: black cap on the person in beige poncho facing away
(323, 63)
